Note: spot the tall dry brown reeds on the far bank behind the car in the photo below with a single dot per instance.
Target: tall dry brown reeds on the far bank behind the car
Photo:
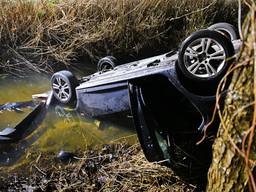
(45, 35)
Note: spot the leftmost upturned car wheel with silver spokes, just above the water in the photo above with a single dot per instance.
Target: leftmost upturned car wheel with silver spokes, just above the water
(63, 86)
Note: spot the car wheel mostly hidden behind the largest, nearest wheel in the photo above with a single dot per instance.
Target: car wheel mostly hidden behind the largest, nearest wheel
(226, 29)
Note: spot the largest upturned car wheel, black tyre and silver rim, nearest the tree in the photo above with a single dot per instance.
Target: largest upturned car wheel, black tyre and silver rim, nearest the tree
(205, 56)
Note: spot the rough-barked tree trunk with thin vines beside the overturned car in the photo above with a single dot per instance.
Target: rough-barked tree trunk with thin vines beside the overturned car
(228, 171)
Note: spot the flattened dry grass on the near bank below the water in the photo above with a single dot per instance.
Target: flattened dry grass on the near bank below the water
(116, 167)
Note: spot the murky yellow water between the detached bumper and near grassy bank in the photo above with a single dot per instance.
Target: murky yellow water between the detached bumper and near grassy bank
(67, 130)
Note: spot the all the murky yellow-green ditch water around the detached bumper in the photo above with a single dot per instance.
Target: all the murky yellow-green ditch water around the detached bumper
(61, 129)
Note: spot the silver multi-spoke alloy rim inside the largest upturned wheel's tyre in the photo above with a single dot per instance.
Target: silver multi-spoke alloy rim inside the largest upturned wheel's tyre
(204, 58)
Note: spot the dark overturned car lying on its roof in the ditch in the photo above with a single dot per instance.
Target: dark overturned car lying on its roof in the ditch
(170, 97)
